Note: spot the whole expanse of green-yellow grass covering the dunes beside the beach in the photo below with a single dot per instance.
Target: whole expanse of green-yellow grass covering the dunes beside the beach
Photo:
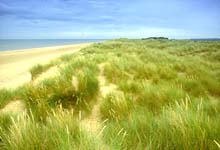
(120, 94)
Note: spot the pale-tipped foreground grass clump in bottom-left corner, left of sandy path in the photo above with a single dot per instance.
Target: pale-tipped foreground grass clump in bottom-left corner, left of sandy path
(61, 130)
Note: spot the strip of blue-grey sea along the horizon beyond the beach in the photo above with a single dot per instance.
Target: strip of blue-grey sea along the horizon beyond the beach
(16, 44)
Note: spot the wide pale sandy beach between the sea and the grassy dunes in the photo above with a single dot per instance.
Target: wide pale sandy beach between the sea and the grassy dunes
(15, 65)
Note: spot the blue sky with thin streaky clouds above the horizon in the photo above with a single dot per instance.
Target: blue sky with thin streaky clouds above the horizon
(106, 19)
